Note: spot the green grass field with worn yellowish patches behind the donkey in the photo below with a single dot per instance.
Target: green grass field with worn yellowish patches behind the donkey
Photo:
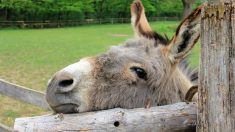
(30, 57)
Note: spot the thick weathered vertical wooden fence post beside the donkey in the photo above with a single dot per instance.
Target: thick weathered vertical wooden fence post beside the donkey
(216, 108)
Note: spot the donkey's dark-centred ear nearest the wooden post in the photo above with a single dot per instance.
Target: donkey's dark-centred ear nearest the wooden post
(186, 36)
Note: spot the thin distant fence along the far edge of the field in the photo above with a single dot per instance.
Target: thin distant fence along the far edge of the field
(53, 24)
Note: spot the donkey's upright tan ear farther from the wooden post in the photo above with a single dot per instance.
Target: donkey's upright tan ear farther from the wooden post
(140, 23)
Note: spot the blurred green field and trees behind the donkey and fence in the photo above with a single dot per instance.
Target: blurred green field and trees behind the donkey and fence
(39, 37)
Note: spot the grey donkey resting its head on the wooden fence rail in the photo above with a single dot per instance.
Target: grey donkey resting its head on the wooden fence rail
(147, 68)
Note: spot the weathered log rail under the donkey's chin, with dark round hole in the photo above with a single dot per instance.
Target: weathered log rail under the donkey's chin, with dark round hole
(169, 118)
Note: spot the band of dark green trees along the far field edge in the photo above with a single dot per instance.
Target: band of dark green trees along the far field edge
(56, 10)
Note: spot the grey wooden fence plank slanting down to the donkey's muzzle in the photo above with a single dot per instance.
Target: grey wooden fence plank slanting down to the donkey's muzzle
(24, 94)
